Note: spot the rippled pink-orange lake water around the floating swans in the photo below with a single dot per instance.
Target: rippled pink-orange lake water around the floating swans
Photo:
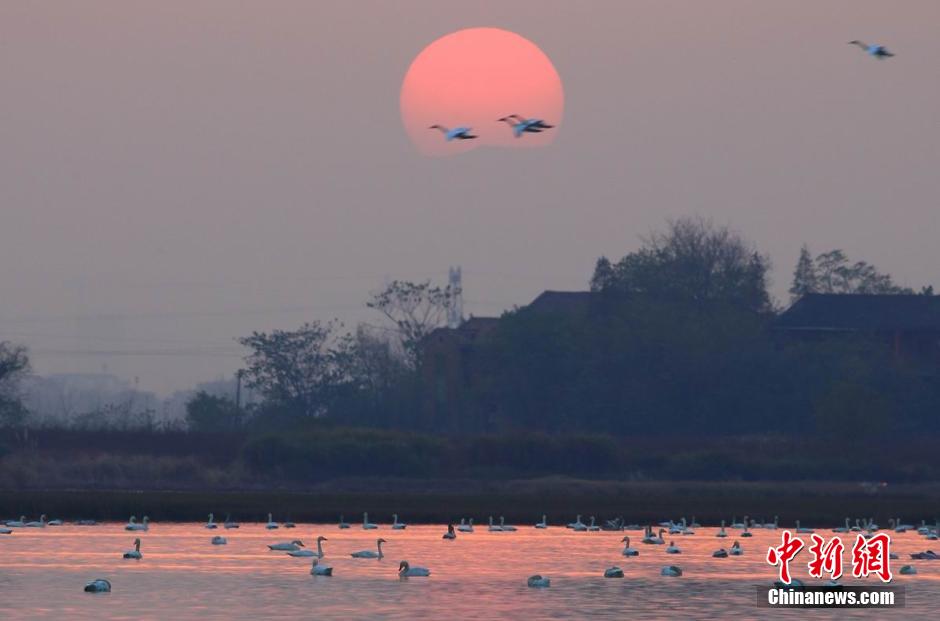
(478, 576)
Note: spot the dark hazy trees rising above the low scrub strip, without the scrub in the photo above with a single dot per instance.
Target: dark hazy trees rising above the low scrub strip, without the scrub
(678, 337)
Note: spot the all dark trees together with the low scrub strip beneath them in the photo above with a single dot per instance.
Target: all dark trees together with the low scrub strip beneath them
(673, 371)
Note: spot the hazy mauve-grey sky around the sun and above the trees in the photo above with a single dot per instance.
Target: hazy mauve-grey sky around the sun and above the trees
(174, 174)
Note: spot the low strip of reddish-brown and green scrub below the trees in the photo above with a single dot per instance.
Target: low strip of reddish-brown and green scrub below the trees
(311, 455)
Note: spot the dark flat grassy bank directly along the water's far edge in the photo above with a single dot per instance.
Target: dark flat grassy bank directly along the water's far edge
(521, 501)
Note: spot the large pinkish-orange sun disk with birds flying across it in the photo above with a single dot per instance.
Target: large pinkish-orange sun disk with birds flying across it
(472, 77)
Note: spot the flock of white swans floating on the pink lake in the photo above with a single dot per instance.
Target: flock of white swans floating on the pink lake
(675, 529)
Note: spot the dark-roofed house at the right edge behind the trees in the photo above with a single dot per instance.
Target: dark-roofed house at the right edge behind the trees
(908, 324)
